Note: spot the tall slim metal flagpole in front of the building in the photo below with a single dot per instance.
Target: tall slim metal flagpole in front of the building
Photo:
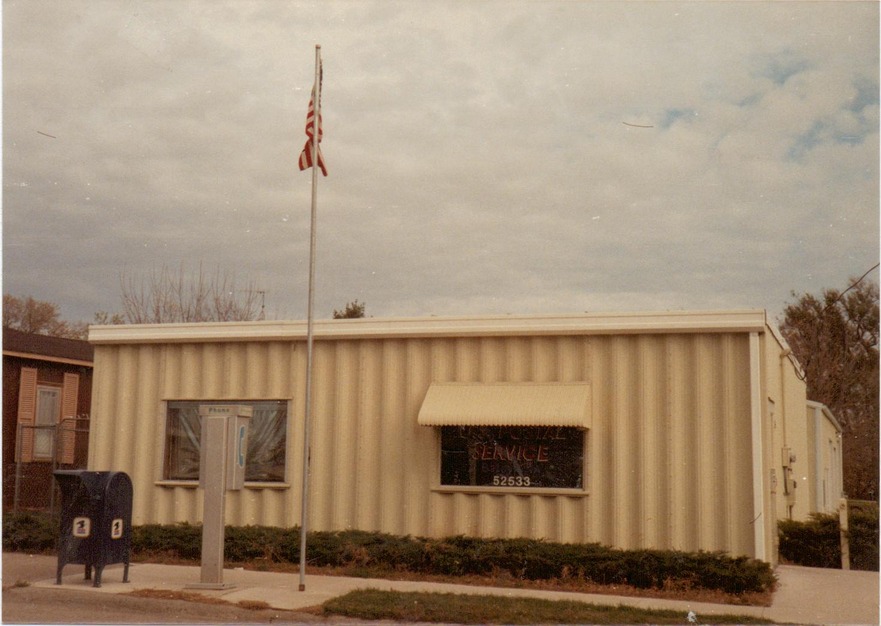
(306, 424)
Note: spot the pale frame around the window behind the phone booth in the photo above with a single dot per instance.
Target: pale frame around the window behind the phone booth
(164, 435)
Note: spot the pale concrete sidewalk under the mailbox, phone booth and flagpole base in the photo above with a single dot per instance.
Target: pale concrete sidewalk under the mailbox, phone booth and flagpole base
(805, 595)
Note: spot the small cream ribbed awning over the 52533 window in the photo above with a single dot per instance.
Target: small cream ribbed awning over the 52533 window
(506, 404)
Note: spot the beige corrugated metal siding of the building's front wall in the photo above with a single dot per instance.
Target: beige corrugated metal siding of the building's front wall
(668, 454)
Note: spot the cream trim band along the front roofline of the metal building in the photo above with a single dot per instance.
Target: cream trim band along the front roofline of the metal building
(500, 325)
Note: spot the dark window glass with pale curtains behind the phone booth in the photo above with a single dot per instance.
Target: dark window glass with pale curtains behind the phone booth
(267, 440)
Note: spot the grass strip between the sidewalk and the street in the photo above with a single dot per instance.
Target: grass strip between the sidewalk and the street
(375, 604)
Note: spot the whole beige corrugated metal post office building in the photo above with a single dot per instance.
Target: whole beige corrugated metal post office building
(633, 430)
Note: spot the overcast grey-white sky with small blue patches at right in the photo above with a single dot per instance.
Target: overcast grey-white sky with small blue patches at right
(484, 157)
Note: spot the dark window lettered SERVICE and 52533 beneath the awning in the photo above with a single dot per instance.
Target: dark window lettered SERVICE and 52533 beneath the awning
(492, 456)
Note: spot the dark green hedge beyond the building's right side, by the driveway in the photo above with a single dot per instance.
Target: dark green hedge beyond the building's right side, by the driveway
(817, 542)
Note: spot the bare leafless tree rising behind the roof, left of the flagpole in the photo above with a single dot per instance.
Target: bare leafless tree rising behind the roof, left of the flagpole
(165, 296)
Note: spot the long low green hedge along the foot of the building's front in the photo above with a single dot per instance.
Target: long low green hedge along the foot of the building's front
(453, 556)
